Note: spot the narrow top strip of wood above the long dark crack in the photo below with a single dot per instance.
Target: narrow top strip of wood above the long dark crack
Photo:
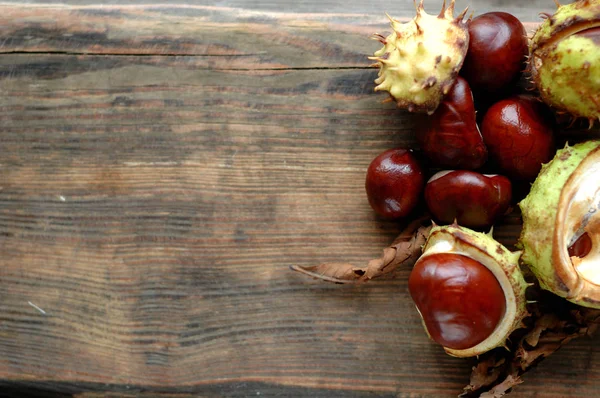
(227, 38)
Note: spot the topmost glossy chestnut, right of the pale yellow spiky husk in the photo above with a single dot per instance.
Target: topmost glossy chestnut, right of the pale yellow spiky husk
(497, 50)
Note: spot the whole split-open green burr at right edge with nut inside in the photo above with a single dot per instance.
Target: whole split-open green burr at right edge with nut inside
(561, 225)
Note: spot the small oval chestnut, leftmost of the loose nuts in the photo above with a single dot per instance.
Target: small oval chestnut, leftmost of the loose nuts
(394, 183)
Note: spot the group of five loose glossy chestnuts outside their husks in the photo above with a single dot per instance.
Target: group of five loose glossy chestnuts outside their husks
(477, 159)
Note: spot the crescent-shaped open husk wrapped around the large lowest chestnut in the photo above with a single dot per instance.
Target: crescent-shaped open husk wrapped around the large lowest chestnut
(503, 263)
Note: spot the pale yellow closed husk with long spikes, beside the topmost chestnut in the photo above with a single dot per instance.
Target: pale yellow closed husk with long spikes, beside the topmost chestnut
(420, 60)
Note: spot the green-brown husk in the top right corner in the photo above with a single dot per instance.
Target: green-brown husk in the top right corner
(565, 65)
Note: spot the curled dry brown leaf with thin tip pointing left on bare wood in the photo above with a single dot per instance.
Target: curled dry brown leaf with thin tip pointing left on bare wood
(404, 251)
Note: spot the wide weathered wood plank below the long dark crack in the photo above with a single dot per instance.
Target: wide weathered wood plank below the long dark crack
(152, 211)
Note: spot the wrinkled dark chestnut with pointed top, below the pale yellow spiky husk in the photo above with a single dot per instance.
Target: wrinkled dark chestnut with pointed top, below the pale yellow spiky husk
(451, 138)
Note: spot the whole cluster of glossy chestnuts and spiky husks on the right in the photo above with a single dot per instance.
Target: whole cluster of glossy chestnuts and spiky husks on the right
(482, 136)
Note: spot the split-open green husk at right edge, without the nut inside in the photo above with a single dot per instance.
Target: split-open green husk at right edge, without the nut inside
(546, 223)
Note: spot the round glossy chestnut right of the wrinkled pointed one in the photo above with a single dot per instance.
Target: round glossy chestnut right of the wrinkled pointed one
(519, 135)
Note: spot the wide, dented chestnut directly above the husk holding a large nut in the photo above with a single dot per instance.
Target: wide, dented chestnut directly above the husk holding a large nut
(471, 199)
